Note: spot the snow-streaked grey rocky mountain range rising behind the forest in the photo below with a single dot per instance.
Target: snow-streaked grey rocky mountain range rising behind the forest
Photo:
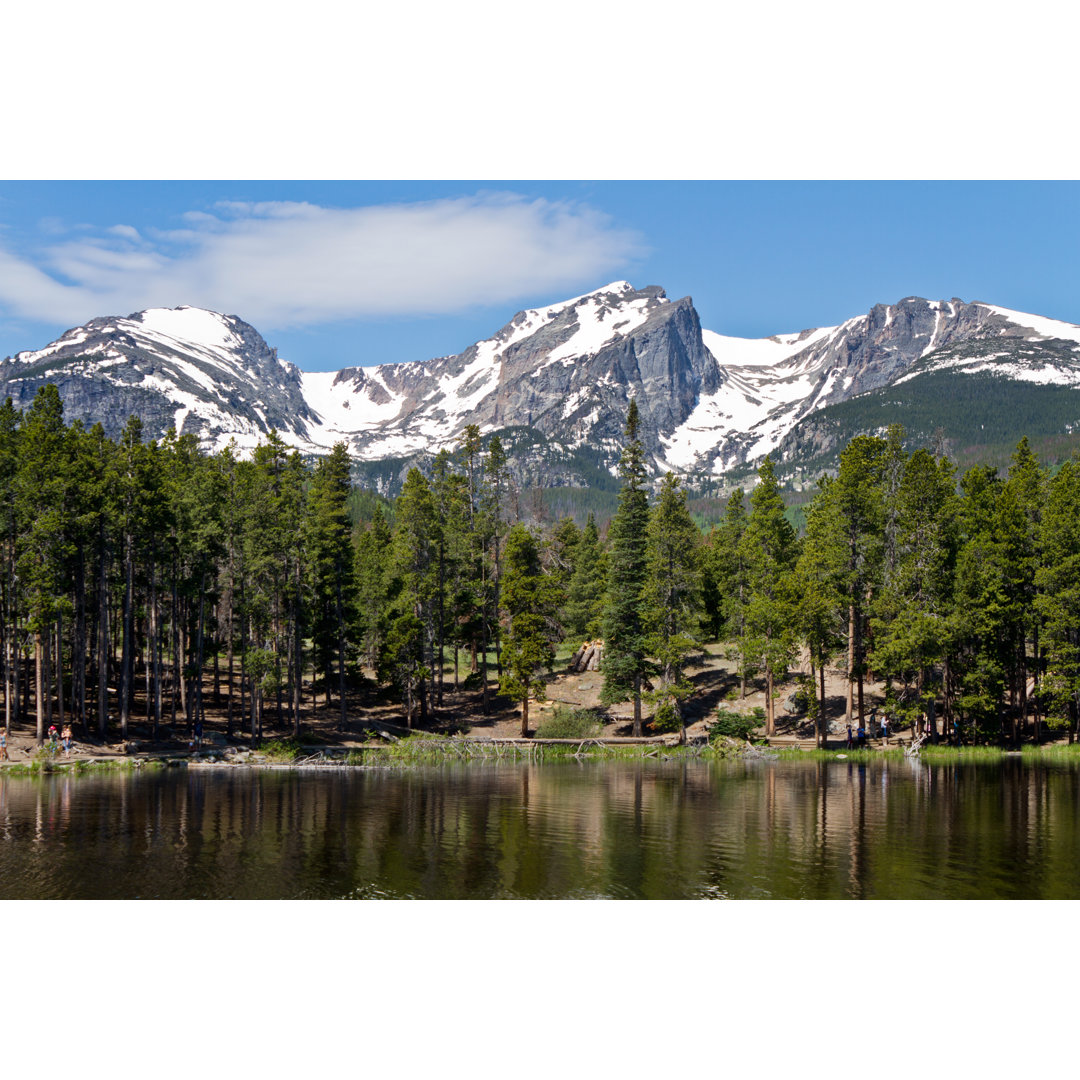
(557, 381)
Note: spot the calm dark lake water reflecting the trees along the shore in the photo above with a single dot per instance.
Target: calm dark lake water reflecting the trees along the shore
(627, 830)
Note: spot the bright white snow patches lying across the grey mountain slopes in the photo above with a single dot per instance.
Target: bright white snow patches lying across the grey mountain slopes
(767, 385)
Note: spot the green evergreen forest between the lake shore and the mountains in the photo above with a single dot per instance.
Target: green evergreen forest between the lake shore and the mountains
(141, 577)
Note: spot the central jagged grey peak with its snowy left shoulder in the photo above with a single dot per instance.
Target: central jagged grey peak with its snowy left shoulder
(568, 372)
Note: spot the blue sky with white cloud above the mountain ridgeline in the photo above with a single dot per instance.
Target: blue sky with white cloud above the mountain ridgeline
(344, 274)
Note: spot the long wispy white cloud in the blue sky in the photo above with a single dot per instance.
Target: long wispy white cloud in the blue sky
(289, 264)
